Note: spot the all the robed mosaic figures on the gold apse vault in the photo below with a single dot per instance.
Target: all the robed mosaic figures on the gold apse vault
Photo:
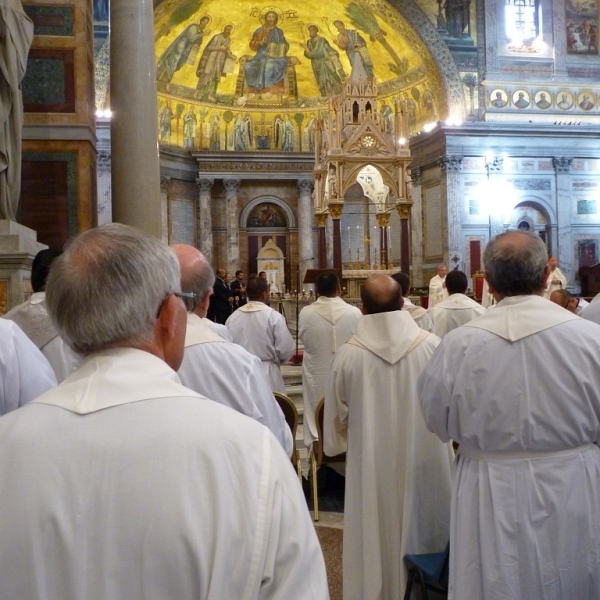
(264, 79)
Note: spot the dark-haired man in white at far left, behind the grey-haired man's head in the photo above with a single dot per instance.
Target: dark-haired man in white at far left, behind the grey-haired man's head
(32, 317)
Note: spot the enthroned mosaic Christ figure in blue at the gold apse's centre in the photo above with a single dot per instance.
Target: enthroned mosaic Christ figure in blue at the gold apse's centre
(265, 72)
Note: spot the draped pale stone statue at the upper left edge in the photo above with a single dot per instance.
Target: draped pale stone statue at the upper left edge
(16, 35)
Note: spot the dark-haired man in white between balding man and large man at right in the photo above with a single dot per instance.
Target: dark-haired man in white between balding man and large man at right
(457, 309)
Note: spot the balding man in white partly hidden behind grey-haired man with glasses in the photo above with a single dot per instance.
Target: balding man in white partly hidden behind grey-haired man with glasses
(218, 369)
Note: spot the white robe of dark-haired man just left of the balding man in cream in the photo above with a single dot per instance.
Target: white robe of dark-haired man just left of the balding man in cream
(324, 326)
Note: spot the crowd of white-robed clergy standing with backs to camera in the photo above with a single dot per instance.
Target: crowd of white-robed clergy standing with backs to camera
(147, 458)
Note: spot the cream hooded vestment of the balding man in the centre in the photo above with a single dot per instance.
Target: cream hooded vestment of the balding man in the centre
(398, 475)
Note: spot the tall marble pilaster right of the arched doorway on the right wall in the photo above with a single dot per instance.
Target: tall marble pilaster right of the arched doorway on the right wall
(564, 203)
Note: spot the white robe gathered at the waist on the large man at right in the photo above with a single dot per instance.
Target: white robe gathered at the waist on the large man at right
(518, 389)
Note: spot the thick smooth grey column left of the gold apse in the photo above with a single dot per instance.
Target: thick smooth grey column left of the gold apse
(134, 125)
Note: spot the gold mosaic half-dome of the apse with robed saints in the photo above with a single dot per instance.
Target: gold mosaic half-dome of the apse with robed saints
(248, 76)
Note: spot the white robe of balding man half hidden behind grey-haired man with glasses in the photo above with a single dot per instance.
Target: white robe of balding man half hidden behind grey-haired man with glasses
(228, 374)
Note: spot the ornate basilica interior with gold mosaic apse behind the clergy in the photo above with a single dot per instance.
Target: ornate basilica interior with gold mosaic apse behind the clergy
(474, 117)
